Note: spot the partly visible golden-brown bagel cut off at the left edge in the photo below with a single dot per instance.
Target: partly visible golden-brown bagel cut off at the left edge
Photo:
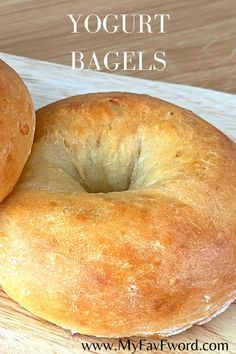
(17, 121)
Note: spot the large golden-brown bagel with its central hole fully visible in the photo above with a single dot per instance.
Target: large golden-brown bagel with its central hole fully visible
(123, 221)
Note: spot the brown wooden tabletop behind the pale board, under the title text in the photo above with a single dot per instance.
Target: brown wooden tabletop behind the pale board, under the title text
(200, 42)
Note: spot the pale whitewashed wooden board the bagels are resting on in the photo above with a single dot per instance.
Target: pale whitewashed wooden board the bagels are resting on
(20, 332)
